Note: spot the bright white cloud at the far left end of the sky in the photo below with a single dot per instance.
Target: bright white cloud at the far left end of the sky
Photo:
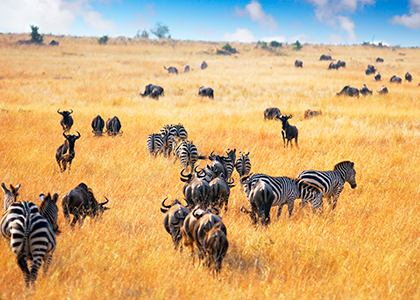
(51, 16)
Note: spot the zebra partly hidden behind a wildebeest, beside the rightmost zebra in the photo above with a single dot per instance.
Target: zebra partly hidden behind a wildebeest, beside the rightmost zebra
(286, 190)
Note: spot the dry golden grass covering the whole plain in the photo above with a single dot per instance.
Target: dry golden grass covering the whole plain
(368, 249)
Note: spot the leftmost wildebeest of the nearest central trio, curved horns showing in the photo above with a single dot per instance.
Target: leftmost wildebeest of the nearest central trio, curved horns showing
(173, 222)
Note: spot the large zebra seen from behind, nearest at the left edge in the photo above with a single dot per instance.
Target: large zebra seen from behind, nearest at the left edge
(31, 236)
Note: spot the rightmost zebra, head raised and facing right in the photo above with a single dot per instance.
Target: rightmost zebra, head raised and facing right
(332, 183)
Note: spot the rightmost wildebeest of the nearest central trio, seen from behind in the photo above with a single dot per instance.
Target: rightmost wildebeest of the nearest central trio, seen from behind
(215, 245)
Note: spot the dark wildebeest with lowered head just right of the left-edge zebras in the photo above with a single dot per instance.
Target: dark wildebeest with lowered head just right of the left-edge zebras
(80, 202)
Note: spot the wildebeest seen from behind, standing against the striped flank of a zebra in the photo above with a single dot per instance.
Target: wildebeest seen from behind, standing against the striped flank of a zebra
(261, 197)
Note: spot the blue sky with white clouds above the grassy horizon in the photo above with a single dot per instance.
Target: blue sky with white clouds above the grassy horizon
(309, 21)
